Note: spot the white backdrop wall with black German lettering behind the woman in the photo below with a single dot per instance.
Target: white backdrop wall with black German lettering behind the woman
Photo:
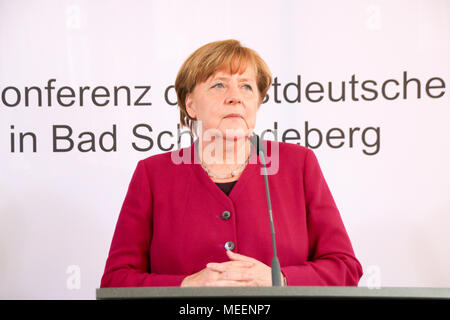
(58, 209)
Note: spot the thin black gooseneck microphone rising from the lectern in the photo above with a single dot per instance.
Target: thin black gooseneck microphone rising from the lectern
(276, 269)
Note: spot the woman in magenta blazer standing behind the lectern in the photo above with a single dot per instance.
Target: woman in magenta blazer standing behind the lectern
(203, 221)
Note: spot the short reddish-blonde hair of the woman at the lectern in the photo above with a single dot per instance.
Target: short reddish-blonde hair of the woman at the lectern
(219, 55)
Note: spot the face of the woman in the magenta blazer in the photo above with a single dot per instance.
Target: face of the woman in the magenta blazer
(226, 103)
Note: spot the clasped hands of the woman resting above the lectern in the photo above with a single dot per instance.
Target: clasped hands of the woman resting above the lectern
(239, 271)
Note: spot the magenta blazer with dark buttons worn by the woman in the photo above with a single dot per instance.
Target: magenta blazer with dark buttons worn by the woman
(175, 219)
